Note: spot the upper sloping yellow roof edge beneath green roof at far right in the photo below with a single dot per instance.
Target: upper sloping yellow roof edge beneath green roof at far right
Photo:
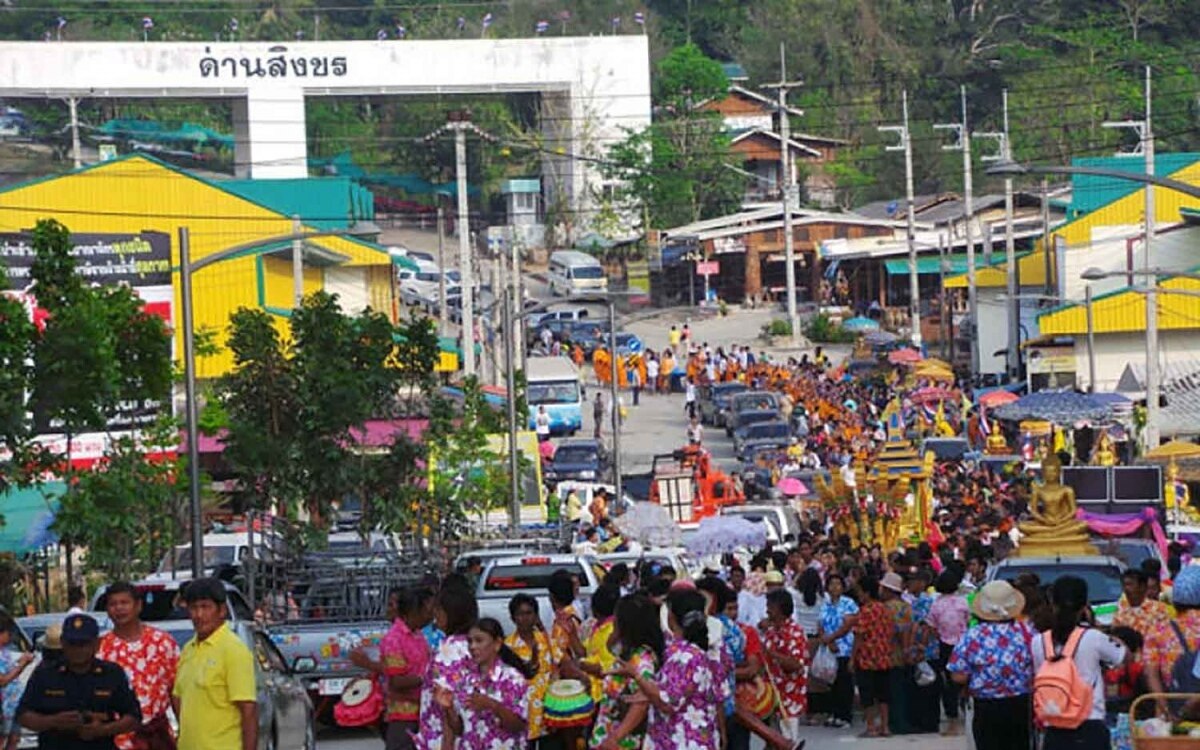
(1129, 211)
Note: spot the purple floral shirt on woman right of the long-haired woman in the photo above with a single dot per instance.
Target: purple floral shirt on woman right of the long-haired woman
(694, 687)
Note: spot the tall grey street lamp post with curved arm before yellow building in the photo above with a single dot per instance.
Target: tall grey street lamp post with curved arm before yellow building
(187, 269)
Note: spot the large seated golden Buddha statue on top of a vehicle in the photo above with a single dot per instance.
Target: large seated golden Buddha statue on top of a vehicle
(1054, 529)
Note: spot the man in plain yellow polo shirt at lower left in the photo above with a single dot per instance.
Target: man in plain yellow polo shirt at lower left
(215, 694)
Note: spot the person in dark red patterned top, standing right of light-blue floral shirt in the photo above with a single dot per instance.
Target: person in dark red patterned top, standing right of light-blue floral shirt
(874, 634)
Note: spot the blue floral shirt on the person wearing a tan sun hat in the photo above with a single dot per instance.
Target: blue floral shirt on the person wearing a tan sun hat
(998, 659)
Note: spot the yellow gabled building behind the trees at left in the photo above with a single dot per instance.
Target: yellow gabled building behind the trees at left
(139, 195)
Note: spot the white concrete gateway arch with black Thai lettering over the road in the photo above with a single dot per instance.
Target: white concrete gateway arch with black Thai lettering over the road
(602, 83)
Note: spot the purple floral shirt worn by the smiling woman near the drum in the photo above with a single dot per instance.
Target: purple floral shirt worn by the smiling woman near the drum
(482, 730)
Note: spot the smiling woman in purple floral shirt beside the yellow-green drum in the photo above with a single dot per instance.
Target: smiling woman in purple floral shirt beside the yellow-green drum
(487, 710)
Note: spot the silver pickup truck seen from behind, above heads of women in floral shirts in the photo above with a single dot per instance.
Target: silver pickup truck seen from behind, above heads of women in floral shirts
(507, 577)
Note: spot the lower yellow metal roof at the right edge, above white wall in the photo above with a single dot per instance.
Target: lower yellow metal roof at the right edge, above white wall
(1125, 311)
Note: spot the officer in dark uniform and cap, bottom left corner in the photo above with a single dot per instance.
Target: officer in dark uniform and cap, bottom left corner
(82, 704)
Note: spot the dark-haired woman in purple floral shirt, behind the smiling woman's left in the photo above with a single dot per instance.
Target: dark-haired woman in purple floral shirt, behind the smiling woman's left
(457, 611)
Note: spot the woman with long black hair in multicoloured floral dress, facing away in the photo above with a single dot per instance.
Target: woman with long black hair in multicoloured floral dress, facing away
(623, 707)
